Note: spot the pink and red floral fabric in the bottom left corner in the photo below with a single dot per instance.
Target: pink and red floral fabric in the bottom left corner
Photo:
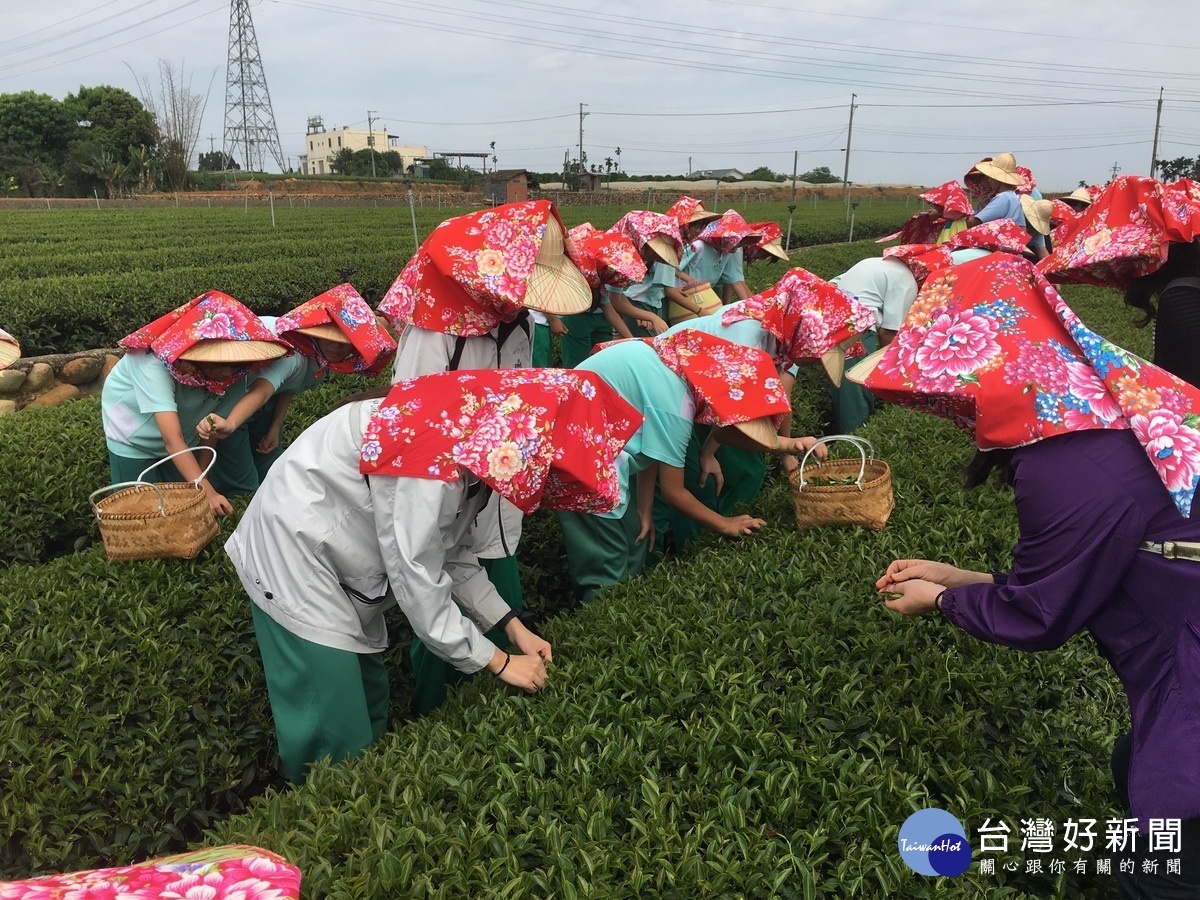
(238, 873)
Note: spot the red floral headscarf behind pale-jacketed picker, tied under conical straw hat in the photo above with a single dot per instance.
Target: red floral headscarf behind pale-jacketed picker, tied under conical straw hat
(475, 272)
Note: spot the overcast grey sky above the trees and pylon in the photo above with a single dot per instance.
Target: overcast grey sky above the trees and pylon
(1071, 87)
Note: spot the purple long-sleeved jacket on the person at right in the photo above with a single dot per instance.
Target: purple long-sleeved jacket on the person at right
(1084, 503)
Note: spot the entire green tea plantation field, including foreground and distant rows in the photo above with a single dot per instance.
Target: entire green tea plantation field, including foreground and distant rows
(746, 722)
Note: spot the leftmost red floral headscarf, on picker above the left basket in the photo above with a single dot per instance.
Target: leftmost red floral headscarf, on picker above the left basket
(211, 317)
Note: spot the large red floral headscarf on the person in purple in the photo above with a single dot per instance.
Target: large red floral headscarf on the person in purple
(993, 346)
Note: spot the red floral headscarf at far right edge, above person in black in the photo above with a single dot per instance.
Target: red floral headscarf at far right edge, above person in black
(1124, 235)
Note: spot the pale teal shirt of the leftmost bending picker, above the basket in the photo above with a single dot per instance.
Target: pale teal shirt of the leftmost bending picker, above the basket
(141, 386)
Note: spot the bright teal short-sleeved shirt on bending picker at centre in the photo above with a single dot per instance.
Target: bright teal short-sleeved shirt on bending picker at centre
(634, 370)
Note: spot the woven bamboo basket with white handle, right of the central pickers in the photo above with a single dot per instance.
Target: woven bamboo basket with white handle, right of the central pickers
(867, 502)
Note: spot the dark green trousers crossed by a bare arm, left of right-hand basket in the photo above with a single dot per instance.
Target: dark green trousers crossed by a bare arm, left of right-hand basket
(743, 472)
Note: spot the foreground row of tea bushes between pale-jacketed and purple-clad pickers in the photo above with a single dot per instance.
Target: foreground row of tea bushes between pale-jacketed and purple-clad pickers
(748, 722)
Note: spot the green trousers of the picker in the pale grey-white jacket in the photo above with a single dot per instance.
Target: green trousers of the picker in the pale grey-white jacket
(326, 703)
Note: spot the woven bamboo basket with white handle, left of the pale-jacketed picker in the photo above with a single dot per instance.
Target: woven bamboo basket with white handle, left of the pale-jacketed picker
(155, 521)
